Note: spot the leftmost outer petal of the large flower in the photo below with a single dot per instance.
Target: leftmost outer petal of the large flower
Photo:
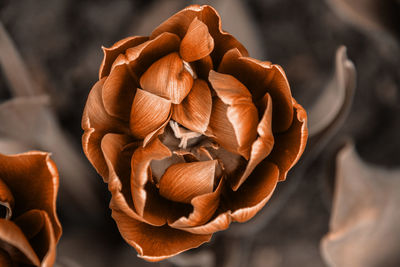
(96, 122)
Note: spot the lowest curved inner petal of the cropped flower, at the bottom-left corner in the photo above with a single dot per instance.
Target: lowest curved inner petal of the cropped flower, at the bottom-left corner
(18, 247)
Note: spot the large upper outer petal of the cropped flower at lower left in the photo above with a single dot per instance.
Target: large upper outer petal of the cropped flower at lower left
(33, 179)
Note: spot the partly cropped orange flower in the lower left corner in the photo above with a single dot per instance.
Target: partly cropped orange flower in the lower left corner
(29, 227)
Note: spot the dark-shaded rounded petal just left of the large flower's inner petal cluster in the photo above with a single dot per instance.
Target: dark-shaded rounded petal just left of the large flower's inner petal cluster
(118, 92)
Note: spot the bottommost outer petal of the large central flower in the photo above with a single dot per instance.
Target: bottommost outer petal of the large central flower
(156, 243)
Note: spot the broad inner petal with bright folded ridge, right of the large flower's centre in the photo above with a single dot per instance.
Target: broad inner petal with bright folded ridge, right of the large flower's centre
(241, 112)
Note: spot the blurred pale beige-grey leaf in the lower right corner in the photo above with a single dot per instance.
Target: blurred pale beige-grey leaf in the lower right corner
(365, 220)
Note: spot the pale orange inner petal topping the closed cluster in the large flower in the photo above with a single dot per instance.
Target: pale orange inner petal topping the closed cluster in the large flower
(168, 78)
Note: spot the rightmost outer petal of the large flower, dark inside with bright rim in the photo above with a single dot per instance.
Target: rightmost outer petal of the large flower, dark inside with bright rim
(290, 145)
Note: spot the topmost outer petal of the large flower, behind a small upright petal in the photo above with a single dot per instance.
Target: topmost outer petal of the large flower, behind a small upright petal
(179, 24)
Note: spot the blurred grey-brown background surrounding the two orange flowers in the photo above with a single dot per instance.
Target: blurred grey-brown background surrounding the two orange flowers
(53, 48)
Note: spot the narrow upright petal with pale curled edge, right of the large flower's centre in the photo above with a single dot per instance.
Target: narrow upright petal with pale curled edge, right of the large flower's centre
(262, 146)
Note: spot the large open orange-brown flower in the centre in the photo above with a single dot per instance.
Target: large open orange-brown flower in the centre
(189, 132)
